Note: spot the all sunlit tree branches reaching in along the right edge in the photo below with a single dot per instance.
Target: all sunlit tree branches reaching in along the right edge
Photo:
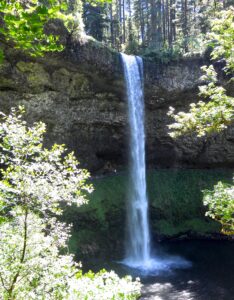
(214, 115)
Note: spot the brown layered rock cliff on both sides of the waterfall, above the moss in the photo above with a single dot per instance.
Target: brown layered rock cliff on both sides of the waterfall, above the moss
(80, 95)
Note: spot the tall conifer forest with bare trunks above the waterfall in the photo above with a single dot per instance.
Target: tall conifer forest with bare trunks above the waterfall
(146, 26)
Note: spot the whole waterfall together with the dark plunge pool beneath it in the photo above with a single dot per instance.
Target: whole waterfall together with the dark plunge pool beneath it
(205, 272)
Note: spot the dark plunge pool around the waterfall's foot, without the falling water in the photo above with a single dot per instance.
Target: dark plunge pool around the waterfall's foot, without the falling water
(210, 276)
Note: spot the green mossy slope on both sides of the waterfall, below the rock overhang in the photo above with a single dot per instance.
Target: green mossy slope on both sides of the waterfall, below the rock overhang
(176, 210)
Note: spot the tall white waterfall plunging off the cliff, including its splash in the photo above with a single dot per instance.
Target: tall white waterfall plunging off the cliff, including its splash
(138, 245)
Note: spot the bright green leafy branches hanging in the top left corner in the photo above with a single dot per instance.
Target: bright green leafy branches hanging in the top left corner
(23, 24)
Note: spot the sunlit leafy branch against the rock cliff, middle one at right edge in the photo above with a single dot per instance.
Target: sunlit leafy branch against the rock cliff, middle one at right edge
(205, 117)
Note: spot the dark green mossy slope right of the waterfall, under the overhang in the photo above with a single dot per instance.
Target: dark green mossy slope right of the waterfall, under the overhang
(176, 202)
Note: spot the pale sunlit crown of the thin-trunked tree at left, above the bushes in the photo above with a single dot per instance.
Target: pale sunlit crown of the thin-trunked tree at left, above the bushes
(43, 177)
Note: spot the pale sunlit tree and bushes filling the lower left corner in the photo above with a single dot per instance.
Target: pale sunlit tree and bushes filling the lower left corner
(34, 183)
